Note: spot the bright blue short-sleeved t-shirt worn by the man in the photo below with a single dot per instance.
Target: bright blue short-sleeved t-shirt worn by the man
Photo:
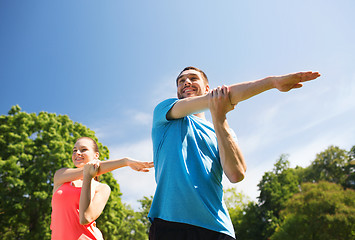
(188, 172)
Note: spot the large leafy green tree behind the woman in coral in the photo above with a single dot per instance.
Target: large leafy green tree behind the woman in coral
(33, 147)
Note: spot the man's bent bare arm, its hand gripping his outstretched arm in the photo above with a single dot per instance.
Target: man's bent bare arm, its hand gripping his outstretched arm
(232, 159)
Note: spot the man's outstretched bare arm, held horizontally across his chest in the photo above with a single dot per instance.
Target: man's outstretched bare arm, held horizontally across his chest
(242, 91)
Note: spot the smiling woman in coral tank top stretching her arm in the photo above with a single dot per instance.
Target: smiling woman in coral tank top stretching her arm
(78, 199)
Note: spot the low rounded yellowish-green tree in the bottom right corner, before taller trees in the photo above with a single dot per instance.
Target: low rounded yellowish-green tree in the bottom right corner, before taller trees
(320, 211)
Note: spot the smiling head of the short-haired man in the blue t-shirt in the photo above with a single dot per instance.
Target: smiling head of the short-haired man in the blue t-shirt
(190, 83)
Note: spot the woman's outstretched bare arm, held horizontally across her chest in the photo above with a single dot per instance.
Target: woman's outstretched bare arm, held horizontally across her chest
(71, 174)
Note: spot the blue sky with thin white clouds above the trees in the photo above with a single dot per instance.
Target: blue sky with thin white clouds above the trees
(106, 64)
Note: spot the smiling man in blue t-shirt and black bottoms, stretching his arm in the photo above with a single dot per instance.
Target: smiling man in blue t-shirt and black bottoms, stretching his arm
(191, 155)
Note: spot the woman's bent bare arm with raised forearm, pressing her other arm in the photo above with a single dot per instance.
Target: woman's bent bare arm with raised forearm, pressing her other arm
(93, 198)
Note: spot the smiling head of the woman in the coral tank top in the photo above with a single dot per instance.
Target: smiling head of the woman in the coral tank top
(83, 152)
